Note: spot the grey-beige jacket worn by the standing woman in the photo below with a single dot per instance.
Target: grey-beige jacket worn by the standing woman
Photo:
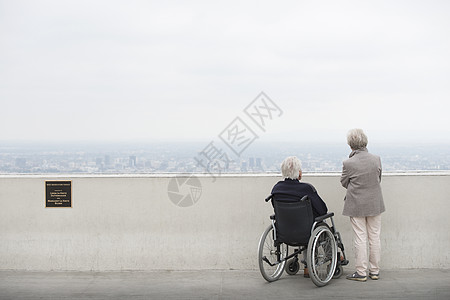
(361, 176)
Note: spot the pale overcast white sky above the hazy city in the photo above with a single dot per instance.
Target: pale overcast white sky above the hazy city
(114, 70)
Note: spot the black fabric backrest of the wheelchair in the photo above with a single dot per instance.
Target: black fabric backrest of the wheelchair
(293, 219)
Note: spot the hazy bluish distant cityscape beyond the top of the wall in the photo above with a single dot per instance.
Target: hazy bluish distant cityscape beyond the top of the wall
(173, 157)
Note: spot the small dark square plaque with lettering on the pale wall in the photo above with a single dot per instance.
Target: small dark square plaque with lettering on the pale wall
(58, 194)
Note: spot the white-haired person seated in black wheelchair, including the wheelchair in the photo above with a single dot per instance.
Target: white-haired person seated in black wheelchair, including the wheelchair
(300, 221)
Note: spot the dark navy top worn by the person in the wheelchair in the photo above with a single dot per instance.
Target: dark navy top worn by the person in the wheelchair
(296, 190)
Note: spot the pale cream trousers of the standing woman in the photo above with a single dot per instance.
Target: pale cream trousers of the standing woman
(367, 229)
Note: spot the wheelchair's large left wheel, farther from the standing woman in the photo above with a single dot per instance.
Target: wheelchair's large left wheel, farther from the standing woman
(270, 257)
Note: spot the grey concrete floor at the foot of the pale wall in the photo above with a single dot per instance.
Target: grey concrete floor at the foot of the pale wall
(393, 284)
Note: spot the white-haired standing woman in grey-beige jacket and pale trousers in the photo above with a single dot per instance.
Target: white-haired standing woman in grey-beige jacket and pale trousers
(361, 176)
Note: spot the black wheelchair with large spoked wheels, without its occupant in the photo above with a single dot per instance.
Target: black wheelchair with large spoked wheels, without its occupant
(293, 225)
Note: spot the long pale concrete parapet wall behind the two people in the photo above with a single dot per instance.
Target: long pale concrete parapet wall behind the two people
(129, 222)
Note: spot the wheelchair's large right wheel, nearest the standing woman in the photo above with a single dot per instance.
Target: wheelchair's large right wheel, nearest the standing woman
(322, 255)
